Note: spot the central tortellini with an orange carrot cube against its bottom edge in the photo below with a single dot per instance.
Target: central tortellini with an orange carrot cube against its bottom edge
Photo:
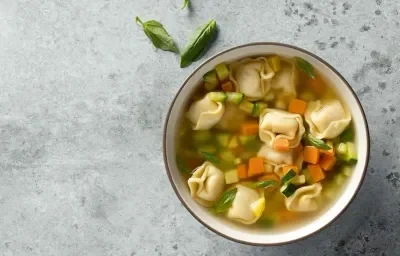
(276, 123)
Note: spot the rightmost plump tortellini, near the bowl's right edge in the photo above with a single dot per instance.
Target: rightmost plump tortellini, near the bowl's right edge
(327, 118)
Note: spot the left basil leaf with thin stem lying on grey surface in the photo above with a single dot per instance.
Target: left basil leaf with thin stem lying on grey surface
(160, 38)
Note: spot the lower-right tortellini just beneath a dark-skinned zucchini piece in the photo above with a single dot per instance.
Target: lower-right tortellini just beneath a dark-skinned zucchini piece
(305, 199)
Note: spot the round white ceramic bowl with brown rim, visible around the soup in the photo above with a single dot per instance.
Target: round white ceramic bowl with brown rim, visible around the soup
(241, 233)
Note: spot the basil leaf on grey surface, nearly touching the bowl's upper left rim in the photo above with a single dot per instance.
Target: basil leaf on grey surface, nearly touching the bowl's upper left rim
(198, 42)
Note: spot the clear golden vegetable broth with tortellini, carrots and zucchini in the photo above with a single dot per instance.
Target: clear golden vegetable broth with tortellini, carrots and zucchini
(265, 142)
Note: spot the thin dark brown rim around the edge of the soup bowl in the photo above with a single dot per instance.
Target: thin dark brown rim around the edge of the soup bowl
(266, 44)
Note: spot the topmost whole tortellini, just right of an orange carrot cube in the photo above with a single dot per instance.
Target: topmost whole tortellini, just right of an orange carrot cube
(252, 77)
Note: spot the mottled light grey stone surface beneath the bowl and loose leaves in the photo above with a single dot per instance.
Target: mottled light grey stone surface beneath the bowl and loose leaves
(82, 102)
